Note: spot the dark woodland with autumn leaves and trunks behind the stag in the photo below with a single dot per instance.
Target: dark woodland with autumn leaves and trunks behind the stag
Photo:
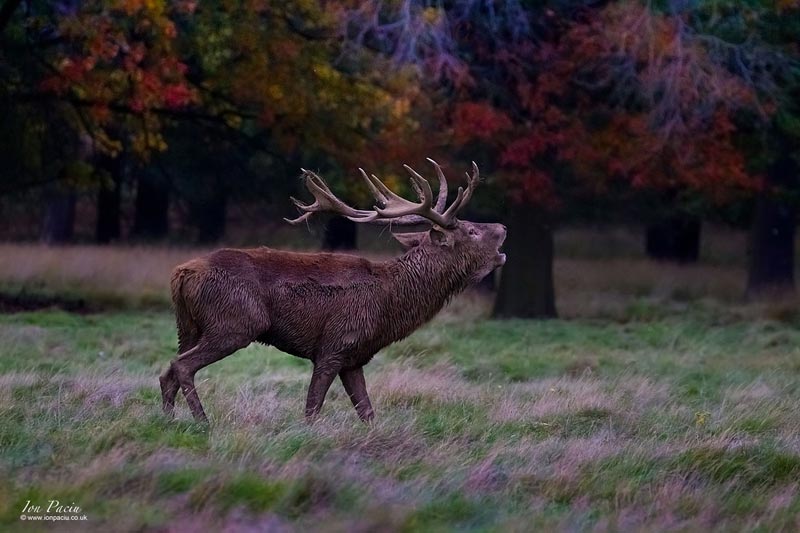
(186, 123)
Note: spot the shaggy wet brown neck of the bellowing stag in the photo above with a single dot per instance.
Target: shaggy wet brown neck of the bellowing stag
(424, 281)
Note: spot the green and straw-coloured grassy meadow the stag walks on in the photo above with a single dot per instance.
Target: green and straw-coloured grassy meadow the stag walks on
(662, 403)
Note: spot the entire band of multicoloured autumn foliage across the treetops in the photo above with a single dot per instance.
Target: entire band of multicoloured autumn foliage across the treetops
(620, 93)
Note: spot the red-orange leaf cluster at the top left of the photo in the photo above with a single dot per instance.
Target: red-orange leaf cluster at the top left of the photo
(120, 57)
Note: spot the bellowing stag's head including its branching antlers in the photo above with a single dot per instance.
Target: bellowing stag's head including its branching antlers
(474, 246)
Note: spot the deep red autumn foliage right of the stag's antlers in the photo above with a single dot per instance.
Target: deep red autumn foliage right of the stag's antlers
(621, 94)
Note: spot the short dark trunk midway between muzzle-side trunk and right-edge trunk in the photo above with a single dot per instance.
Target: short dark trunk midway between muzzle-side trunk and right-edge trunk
(674, 238)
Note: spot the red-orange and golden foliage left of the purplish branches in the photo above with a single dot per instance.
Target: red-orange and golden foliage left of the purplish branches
(130, 68)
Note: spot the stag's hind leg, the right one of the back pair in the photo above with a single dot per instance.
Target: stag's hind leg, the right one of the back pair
(209, 349)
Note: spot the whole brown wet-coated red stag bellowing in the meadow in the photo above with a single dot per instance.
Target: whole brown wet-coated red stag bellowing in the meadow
(336, 310)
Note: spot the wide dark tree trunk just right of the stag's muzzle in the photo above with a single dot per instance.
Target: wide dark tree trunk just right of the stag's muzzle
(526, 282)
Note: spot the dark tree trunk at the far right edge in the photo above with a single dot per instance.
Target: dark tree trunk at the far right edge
(771, 268)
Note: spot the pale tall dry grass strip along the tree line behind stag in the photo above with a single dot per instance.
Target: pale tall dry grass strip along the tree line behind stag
(598, 272)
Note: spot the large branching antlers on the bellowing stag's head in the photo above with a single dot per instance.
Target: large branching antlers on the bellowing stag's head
(392, 209)
